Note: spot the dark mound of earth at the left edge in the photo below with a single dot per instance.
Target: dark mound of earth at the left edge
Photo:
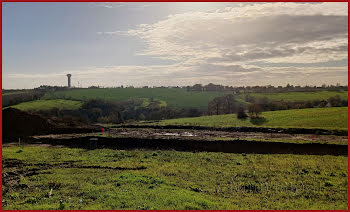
(17, 123)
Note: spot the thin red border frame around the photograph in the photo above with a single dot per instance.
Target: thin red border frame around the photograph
(169, 1)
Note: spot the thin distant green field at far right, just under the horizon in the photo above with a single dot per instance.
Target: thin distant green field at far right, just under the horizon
(300, 96)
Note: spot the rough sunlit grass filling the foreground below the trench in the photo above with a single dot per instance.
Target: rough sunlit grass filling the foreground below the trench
(114, 179)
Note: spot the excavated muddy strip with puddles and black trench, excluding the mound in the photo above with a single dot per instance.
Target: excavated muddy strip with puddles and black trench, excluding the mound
(197, 140)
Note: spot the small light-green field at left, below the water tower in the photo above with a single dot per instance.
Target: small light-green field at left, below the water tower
(49, 104)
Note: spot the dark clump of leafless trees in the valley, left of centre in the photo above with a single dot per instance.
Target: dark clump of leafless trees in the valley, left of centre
(101, 111)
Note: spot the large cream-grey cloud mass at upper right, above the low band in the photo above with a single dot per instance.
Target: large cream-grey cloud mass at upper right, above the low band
(283, 31)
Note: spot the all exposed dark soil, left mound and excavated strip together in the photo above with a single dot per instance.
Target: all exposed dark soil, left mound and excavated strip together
(17, 123)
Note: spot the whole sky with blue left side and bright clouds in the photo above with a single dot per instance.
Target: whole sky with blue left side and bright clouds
(174, 44)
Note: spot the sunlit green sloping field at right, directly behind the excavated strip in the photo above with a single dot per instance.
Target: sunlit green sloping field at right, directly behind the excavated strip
(323, 118)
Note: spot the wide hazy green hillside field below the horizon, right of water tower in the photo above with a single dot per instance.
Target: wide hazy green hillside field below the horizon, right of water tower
(176, 97)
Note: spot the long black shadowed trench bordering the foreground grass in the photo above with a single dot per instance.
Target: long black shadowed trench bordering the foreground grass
(227, 146)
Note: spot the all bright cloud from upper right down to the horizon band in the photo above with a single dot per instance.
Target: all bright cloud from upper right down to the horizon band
(217, 46)
